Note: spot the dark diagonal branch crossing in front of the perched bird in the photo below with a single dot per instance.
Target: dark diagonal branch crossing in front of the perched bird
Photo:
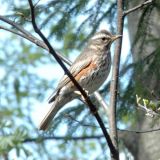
(87, 99)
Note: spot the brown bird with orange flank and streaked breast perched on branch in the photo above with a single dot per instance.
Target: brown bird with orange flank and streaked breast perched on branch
(90, 69)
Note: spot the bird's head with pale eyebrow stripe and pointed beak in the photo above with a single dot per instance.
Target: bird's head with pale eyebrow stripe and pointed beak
(102, 39)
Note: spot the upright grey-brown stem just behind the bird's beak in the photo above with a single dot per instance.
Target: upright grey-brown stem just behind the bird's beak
(114, 80)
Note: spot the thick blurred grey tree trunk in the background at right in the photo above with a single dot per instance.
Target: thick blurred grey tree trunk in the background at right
(145, 146)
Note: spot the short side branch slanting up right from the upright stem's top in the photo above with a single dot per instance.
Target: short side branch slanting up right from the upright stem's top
(140, 6)
